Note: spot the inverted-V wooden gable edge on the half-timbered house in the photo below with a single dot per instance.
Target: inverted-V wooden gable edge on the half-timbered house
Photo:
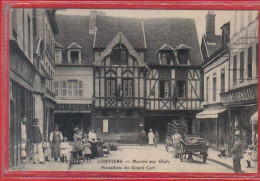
(120, 38)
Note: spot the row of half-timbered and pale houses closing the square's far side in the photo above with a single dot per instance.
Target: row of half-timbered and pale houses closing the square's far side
(130, 79)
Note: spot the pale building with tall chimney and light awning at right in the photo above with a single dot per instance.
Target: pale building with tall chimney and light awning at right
(213, 119)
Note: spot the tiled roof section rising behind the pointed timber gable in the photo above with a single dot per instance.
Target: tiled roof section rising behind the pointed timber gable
(108, 27)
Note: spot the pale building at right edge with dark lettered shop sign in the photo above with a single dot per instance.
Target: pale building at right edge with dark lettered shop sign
(242, 97)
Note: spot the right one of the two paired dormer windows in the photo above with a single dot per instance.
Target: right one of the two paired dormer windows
(182, 54)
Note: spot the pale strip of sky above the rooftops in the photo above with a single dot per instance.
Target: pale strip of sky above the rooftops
(221, 18)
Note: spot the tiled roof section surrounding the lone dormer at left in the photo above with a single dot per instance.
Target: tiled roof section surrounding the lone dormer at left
(75, 29)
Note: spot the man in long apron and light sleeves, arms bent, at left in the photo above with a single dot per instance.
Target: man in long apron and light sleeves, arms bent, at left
(55, 139)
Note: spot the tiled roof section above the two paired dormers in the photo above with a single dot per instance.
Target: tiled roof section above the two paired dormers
(173, 32)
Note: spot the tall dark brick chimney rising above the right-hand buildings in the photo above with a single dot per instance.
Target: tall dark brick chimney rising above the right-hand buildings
(210, 26)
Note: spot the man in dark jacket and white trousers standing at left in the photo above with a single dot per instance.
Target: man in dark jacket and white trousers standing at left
(37, 142)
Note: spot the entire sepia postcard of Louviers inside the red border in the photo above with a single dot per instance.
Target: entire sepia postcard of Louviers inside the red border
(127, 90)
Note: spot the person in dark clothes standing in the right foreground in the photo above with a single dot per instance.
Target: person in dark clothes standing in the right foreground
(237, 152)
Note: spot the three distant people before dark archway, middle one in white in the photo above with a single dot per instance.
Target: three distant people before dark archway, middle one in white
(153, 138)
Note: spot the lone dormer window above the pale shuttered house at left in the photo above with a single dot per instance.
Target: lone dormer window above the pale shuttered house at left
(74, 53)
